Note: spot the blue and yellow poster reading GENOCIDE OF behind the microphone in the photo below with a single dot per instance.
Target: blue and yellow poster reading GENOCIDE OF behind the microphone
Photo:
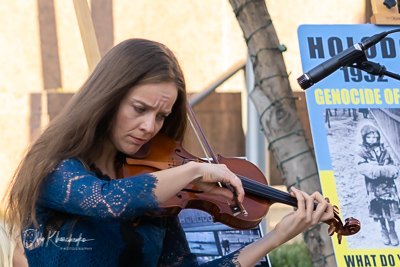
(339, 106)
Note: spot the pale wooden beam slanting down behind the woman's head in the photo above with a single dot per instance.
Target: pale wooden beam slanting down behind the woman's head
(88, 34)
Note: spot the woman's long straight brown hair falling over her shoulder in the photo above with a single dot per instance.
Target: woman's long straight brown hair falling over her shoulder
(85, 123)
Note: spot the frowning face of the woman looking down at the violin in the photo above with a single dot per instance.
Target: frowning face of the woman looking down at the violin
(141, 115)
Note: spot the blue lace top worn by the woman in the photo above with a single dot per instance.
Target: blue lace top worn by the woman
(100, 208)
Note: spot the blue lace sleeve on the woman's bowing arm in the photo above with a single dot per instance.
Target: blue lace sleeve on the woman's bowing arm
(72, 189)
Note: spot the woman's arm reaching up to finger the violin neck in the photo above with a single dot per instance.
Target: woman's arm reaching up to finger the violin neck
(176, 249)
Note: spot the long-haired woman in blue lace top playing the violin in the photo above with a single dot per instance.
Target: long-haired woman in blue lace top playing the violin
(71, 209)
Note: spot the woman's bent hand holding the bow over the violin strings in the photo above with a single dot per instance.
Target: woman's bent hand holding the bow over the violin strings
(211, 174)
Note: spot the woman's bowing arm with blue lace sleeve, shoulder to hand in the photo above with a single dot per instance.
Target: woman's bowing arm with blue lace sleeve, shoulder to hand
(71, 188)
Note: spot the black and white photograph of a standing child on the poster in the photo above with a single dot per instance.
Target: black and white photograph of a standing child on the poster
(364, 146)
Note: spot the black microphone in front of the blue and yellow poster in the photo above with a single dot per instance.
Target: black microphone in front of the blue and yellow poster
(345, 58)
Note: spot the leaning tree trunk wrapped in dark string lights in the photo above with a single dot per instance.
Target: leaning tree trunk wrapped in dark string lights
(275, 104)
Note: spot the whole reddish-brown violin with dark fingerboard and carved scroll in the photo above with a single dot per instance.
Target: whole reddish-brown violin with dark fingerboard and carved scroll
(164, 152)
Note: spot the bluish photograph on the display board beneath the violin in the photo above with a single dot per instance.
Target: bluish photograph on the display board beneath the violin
(209, 240)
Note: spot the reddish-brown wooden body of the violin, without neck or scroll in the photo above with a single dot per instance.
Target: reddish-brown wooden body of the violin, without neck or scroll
(191, 197)
